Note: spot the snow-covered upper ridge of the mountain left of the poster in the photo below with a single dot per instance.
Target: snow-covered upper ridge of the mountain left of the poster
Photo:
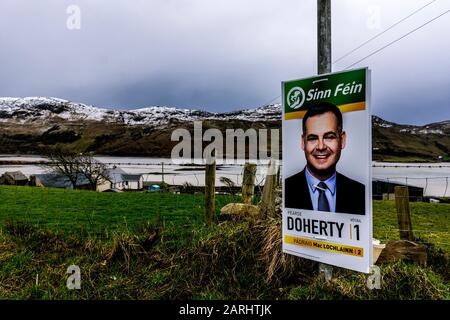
(32, 109)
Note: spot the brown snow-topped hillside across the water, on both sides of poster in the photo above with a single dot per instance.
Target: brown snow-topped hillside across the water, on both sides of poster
(29, 124)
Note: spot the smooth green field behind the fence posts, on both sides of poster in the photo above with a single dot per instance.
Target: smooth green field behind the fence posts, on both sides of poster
(93, 213)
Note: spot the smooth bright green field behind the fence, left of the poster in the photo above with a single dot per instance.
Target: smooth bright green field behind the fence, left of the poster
(86, 212)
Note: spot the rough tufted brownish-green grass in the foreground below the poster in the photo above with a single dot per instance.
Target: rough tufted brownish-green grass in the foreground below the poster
(222, 261)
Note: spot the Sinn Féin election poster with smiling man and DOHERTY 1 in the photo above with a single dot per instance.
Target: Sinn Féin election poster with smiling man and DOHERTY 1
(327, 207)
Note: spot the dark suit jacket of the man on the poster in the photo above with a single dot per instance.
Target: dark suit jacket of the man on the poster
(350, 194)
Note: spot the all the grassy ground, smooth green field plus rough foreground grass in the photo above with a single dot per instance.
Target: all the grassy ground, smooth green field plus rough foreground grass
(129, 254)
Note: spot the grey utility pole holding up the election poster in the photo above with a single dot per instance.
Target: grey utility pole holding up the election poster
(324, 66)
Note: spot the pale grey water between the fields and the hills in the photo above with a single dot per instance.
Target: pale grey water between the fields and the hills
(433, 177)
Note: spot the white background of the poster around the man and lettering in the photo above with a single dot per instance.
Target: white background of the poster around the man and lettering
(355, 163)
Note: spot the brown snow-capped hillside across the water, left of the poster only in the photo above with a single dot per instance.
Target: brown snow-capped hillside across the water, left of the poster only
(27, 125)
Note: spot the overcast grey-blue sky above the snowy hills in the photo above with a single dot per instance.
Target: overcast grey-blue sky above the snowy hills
(220, 55)
